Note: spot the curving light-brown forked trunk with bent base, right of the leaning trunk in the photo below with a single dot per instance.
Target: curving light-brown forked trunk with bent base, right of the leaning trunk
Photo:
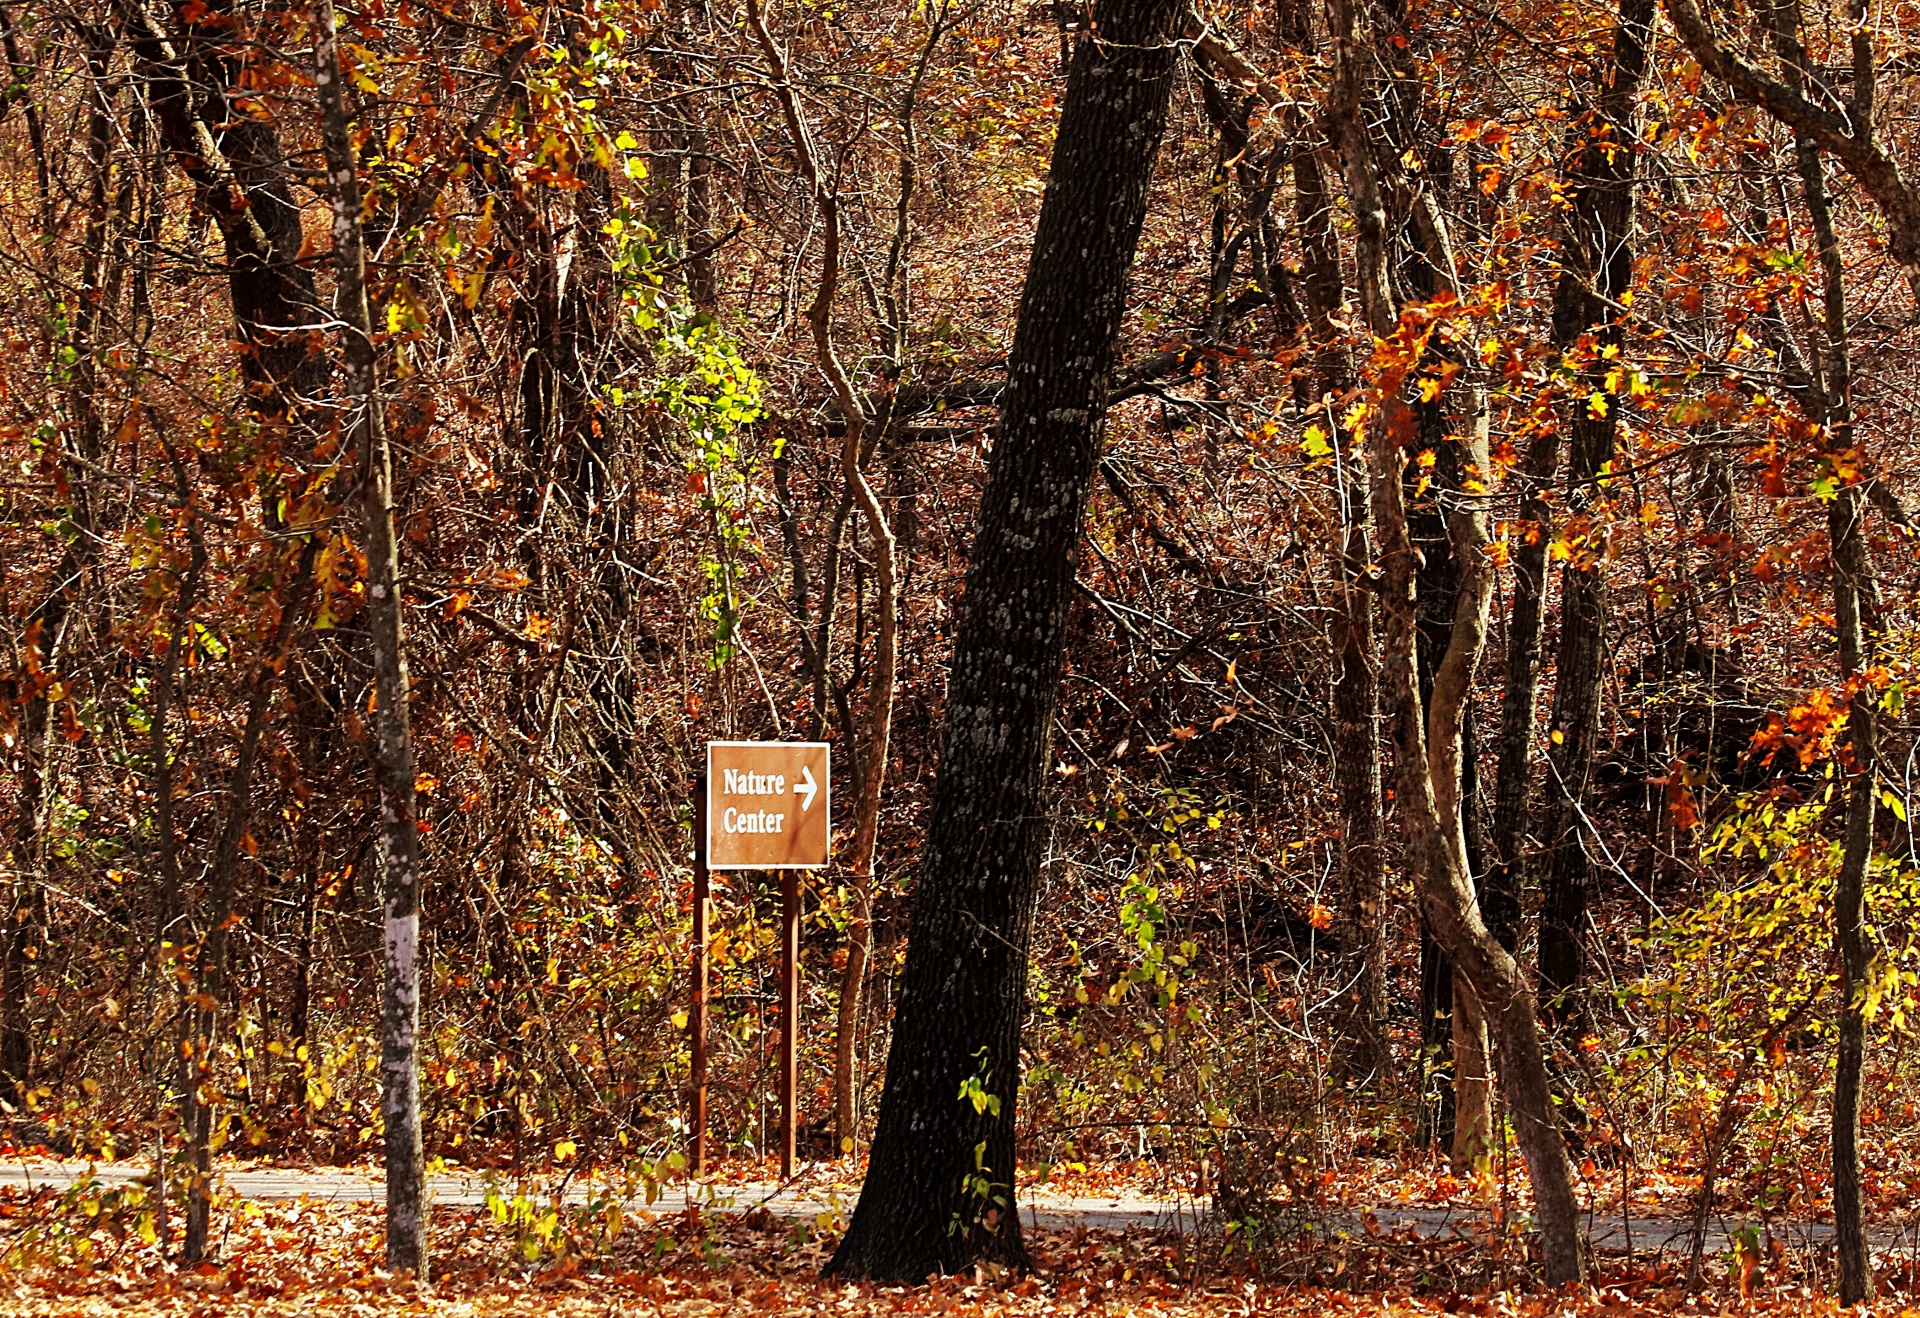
(1429, 741)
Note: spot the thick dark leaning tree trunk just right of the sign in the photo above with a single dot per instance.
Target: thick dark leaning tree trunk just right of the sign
(940, 1184)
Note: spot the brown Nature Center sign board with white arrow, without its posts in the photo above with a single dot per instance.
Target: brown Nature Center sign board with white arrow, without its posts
(767, 806)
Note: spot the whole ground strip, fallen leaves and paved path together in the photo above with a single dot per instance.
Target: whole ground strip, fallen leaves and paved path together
(310, 1242)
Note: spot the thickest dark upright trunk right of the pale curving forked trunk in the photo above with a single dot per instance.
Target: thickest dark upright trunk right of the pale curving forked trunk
(1600, 268)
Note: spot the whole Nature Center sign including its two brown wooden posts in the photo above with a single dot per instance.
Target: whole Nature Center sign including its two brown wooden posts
(763, 806)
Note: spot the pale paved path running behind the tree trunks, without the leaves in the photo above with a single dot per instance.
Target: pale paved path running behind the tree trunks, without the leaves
(1040, 1208)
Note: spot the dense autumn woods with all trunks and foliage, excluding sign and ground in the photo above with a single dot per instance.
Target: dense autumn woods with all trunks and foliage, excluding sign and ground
(1356, 564)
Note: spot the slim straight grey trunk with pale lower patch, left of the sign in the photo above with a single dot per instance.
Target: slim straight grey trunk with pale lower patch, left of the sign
(393, 743)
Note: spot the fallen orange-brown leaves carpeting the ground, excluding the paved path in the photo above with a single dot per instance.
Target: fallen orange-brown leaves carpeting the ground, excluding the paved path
(318, 1257)
